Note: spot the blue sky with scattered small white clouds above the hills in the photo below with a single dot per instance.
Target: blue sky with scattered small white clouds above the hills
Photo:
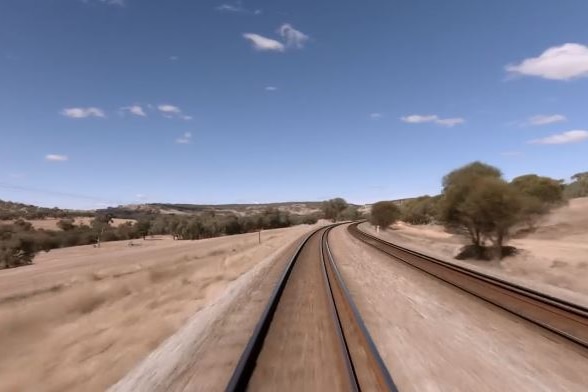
(124, 101)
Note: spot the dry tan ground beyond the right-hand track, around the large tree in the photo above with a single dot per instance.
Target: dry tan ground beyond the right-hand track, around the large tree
(553, 259)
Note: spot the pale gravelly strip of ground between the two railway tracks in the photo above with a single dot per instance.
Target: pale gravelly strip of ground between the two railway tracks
(434, 337)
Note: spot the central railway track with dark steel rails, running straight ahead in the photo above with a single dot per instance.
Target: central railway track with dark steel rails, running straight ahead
(311, 336)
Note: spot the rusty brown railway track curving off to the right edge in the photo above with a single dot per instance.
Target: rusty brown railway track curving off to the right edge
(563, 318)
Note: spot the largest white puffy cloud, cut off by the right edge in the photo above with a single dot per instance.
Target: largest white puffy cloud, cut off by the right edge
(564, 62)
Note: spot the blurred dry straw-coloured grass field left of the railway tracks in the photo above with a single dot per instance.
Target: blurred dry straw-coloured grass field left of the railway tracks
(81, 318)
